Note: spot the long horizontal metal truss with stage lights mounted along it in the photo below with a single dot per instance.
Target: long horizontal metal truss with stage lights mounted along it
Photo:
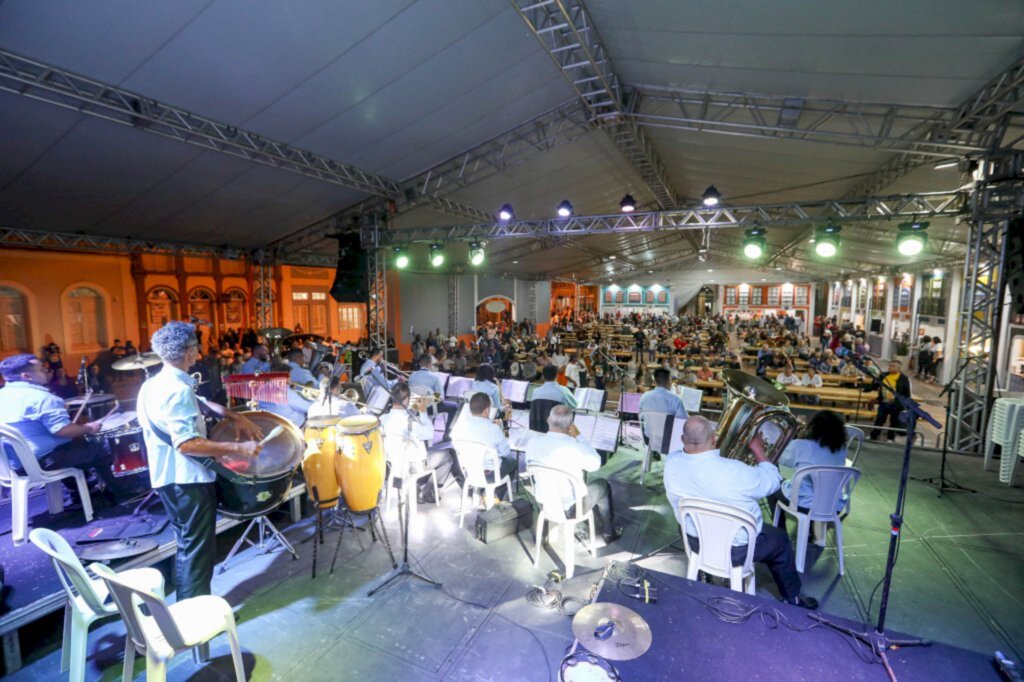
(794, 214)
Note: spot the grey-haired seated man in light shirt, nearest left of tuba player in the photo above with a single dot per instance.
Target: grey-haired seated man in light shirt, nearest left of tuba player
(563, 448)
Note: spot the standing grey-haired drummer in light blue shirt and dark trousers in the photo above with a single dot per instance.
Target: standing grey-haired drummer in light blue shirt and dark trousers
(176, 439)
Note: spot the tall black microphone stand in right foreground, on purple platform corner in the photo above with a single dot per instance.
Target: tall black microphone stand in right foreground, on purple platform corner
(879, 642)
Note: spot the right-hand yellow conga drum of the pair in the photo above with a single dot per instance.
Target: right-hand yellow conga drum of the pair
(360, 461)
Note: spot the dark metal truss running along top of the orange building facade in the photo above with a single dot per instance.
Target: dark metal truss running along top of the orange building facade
(30, 239)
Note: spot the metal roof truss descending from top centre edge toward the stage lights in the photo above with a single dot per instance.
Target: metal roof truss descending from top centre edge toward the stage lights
(565, 29)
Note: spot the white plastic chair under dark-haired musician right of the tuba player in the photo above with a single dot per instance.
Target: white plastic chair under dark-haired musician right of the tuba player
(833, 486)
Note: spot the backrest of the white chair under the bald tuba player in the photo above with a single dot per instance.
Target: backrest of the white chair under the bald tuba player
(717, 527)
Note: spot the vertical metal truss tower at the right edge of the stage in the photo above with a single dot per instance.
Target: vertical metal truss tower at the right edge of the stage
(994, 205)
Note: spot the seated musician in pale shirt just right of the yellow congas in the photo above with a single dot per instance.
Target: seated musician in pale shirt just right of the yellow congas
(407, 435)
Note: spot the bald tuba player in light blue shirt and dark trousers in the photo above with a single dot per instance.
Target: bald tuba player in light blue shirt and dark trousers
(700, 472)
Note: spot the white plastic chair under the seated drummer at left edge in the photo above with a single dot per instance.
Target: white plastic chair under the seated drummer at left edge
(34, 477)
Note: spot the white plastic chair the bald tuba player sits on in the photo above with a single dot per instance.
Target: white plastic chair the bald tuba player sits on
(717, 526)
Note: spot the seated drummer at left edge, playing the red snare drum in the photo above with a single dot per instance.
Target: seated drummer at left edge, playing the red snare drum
(42, 418)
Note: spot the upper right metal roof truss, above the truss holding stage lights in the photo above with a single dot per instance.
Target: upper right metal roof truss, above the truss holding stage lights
(902, 127)
